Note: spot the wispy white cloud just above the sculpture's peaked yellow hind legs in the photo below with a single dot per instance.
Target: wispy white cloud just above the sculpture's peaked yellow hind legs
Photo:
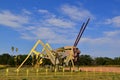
(48, 34)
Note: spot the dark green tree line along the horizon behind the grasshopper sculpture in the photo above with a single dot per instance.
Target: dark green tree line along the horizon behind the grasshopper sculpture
(84, 60)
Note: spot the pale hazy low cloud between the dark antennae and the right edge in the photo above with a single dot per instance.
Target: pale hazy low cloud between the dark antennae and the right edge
(110, 37)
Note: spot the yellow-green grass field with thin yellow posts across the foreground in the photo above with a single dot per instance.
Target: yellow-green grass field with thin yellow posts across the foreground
(43, 74)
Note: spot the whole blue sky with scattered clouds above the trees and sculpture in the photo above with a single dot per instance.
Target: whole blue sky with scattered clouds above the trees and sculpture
(23, 22)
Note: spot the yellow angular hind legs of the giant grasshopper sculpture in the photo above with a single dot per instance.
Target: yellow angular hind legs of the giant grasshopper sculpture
(46, 48)
